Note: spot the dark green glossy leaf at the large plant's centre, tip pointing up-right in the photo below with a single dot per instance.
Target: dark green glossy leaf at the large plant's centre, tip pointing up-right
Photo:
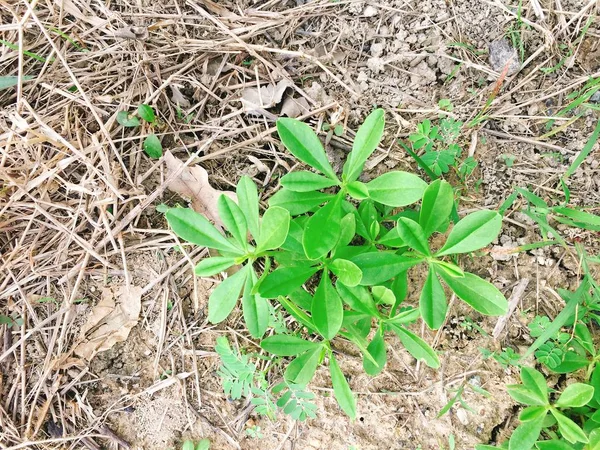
(323, 229)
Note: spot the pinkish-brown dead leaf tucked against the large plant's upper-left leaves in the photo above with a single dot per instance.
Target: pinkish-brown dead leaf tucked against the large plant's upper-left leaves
(193, 184)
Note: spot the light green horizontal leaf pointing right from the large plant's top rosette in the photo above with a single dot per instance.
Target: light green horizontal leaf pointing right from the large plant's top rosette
(396, 188)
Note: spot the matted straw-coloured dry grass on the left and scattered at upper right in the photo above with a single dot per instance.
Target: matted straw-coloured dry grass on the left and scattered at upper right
(78, 193)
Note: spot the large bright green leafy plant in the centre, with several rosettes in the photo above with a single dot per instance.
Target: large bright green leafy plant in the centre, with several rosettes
(335, 254)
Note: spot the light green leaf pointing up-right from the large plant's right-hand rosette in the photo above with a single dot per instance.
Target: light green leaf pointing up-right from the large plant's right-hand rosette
(473, 232)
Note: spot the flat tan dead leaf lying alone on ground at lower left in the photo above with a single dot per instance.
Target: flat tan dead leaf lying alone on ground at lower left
(110, 321)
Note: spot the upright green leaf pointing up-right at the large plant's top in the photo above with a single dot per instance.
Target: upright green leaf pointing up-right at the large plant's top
(366, 141)
